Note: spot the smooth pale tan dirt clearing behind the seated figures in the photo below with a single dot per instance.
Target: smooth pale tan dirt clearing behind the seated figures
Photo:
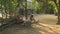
(47, 19)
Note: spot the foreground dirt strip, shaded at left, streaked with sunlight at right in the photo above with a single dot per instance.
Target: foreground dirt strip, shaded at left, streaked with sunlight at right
(35, 29)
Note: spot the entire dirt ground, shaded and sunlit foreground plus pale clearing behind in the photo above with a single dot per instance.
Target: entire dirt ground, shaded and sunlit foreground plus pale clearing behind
(46, 25)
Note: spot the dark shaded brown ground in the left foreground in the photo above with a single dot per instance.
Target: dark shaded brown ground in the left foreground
(19, 29)
